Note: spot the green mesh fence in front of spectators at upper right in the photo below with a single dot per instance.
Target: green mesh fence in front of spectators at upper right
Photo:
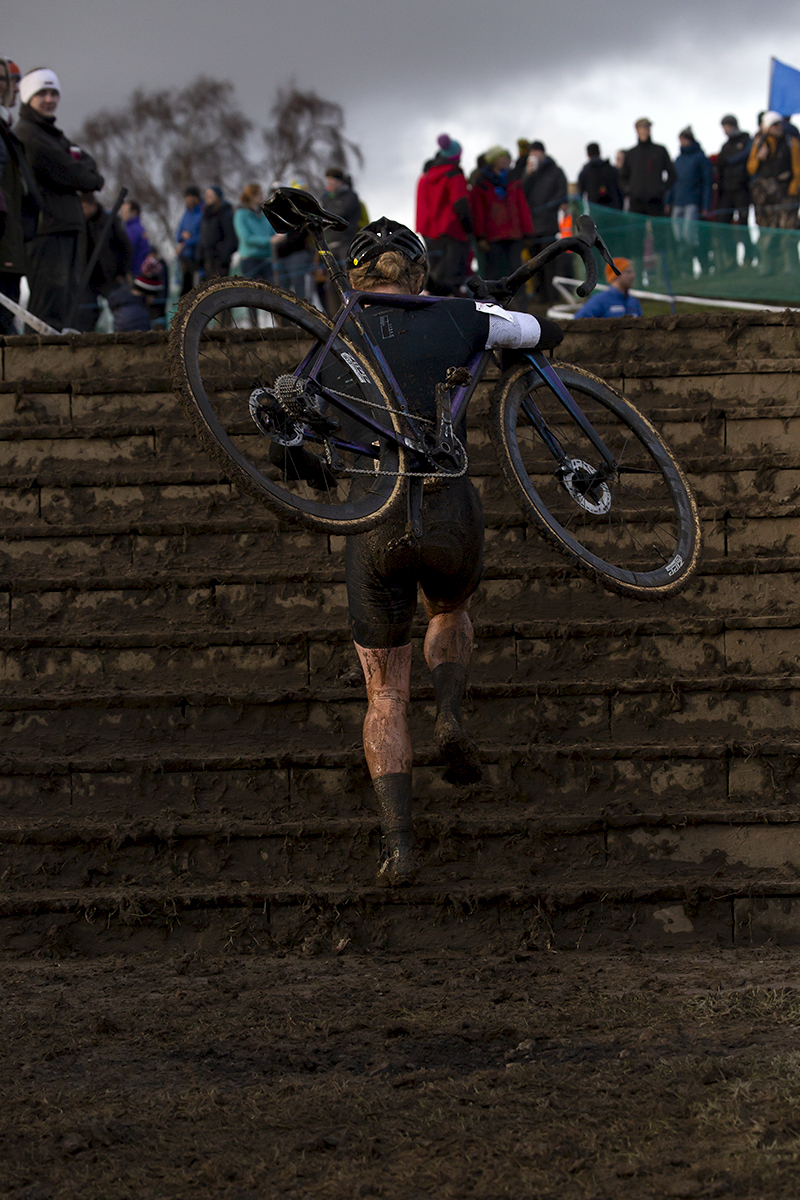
(707, 259)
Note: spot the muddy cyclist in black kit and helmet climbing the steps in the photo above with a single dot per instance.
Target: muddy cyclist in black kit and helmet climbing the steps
(444, 557)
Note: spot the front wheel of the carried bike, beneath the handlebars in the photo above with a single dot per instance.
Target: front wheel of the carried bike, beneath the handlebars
(636, 529)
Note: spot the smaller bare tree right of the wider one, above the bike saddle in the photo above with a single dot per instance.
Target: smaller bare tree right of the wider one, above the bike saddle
(306, 137)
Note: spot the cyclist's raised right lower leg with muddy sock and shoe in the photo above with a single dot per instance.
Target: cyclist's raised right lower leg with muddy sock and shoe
(448, 651)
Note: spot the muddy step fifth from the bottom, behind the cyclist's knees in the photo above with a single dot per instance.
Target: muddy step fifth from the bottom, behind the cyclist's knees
(53, 665)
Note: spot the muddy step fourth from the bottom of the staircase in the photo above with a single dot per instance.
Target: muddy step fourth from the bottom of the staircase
(106, 725)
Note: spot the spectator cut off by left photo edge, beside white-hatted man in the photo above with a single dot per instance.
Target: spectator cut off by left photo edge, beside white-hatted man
(19, 199)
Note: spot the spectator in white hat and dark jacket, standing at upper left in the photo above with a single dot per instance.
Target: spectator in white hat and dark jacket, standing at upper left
(57, 254)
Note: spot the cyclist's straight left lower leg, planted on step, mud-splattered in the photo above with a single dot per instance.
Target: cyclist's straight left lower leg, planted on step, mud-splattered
(388, 749)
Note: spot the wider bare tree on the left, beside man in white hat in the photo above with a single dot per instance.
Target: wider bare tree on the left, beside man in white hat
(164, 141)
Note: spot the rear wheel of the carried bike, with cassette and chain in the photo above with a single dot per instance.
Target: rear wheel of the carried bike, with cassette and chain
(254, 374)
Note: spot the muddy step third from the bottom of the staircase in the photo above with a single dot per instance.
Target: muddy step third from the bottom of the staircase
(613, 782)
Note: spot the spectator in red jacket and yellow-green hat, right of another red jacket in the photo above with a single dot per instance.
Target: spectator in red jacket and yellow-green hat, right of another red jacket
(501, 215)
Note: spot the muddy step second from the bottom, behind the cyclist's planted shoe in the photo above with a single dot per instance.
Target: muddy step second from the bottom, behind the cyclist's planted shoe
(472, 847)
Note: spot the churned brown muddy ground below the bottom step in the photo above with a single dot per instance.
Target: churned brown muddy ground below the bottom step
(538, 1075)
